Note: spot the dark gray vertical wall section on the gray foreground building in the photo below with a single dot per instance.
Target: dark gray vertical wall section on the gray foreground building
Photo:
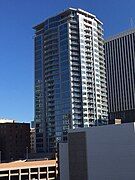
(77, 156)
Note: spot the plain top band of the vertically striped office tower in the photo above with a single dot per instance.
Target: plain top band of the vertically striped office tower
(122, 34)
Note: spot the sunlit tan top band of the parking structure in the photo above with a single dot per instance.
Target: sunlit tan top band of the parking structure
(26, 164)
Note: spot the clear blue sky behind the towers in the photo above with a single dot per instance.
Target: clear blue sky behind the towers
(17, 17)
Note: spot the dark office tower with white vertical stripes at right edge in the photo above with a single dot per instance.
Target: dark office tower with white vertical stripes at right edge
(120, 61)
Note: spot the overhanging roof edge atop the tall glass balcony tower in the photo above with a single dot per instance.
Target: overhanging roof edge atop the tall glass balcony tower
(81, 11)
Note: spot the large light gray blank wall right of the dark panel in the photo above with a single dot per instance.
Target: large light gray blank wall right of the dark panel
(111, 152)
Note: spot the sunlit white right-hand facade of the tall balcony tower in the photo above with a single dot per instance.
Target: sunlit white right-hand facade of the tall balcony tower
(92, 68)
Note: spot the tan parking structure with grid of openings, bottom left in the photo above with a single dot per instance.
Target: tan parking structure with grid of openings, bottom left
(29, 170)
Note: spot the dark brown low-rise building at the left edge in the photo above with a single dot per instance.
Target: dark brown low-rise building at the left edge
(14, 140)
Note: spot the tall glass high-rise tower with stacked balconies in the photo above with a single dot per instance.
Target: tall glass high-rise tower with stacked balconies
(70, 77)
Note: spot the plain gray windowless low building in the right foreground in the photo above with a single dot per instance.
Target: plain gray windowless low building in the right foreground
(104, 152)
